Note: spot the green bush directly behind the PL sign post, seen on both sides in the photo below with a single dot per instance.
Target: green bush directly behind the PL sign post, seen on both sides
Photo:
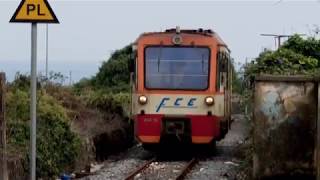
(57, 145)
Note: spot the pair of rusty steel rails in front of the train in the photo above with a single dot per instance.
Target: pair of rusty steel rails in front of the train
(182, 174)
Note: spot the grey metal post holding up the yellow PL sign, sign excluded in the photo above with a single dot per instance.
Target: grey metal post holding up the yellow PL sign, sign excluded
(33, 103)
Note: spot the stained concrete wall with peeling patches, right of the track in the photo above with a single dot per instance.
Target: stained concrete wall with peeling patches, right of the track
(285, 117)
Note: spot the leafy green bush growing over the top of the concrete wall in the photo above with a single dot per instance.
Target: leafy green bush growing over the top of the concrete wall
(296, 57)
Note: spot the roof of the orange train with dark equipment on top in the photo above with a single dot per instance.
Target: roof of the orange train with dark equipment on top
(200, 31)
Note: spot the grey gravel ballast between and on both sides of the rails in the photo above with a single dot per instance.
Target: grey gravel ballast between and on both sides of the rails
(222, 165)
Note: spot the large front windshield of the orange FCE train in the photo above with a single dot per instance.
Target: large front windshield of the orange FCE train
(184, 68)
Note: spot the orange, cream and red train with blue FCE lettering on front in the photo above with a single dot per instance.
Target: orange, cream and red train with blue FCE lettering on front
(181, 87)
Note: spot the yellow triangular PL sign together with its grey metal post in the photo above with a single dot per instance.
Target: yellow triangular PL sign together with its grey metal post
(31, 11)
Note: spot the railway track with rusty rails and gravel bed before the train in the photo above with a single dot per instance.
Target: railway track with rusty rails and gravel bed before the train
(142, 165)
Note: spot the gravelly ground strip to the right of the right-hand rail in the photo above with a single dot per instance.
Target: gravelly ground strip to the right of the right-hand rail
(226, 162)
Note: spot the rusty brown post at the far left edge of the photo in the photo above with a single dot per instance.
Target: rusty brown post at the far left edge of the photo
(3, 158)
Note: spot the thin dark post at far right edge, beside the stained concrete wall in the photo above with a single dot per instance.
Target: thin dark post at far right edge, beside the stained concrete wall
(317, 163)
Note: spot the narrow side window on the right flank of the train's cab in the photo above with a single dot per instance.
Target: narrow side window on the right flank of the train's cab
(222, 70)
